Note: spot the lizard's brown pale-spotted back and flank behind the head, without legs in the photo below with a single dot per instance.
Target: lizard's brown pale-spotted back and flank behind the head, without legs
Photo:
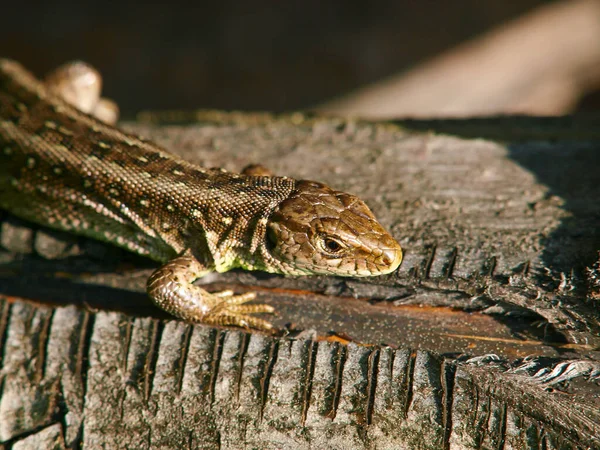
(62, 168)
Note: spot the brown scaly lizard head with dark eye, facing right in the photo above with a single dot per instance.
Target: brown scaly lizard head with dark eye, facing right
(317, 230)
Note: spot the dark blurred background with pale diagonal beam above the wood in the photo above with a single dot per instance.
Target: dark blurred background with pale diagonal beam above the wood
(377, 58)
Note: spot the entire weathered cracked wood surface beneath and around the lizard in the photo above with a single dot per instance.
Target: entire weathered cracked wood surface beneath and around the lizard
(501, 237)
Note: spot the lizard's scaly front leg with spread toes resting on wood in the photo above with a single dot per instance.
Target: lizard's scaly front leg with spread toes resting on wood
(171, 288)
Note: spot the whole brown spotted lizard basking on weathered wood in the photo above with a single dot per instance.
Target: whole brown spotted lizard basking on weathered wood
(62, 167)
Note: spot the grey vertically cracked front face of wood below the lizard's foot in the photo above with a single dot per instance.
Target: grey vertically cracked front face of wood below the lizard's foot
(109, 381)
